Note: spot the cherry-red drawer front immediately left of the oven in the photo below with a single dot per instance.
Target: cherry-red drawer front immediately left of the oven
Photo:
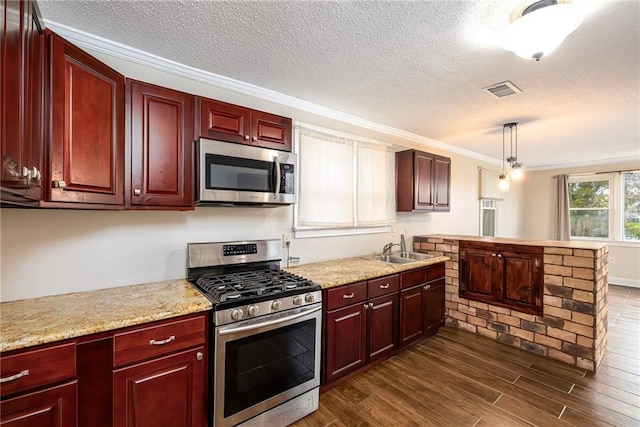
(145, 343)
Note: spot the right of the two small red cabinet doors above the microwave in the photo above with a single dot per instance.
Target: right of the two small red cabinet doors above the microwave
(270, 131)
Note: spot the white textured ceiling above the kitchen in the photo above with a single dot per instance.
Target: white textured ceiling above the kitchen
(418, 66)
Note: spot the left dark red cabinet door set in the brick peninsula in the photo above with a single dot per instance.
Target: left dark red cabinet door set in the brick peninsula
(479, 274)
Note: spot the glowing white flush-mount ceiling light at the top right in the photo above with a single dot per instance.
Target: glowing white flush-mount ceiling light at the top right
(540, 28)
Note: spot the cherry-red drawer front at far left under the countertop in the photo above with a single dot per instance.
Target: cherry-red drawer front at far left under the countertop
(36, 368)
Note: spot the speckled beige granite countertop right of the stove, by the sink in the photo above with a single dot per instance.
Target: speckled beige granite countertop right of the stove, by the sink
(349, 270)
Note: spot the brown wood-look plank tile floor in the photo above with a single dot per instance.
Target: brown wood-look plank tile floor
(460, 379)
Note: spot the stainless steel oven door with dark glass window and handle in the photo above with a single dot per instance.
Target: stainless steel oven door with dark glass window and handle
(261, 364)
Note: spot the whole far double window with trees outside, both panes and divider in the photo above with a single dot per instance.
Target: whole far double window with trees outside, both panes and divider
(605, 206)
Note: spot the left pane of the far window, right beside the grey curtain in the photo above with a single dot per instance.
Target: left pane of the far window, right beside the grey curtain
(589, 207)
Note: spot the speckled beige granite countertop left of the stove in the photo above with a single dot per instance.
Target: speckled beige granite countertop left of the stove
(30, 322)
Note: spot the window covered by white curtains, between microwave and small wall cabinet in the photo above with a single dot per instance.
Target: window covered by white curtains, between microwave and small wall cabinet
(344, 182)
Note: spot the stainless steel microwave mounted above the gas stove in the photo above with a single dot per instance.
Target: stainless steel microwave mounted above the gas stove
(236, 174)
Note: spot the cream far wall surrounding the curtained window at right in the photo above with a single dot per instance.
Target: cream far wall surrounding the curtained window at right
(538, 219)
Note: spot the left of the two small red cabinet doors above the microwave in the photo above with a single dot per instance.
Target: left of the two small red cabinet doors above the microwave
(225, 122)
